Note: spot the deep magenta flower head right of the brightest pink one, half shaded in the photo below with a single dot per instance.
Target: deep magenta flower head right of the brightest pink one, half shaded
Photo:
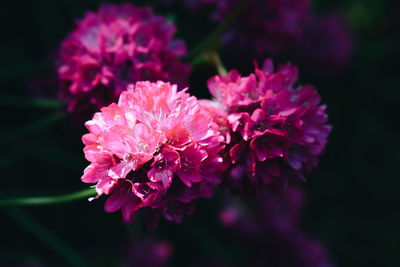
(276, 131)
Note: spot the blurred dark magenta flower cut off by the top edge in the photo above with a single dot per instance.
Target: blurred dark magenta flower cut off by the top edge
(263, 28)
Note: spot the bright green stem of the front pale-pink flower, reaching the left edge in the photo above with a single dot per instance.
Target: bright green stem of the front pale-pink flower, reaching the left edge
(49, 200)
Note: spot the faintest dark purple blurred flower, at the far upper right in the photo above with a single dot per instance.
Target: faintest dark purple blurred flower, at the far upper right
(327, 45)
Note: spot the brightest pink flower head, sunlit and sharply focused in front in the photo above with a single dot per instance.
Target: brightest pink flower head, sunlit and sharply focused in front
(156, 149)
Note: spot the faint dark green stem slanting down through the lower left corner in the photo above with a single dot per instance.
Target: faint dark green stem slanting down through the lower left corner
(30, 225)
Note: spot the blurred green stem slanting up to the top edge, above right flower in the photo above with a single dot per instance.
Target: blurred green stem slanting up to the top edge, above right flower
(212, 40)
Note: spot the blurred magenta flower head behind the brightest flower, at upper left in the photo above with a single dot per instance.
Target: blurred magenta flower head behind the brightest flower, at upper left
(113, 47)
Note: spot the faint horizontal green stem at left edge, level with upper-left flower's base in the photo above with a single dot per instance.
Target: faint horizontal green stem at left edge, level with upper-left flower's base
(20, 102)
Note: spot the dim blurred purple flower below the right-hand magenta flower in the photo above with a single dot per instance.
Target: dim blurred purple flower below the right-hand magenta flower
(270, 230)
